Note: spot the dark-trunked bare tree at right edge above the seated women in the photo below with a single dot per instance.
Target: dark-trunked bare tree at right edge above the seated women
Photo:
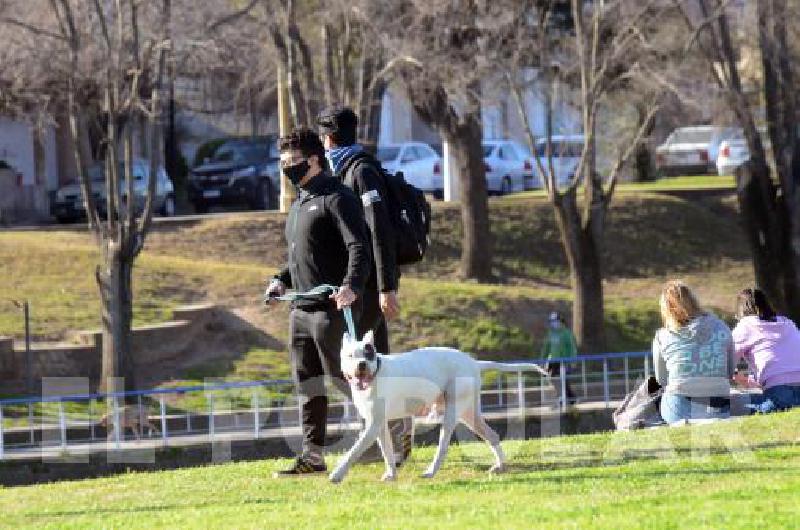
(770, 206)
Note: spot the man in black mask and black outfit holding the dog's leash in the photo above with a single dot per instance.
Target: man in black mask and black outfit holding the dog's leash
(327, 243)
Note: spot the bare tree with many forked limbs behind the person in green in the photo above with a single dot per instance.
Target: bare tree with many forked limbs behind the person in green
(595, 50)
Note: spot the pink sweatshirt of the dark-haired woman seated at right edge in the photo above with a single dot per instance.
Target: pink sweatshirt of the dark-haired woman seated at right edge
(772, 349)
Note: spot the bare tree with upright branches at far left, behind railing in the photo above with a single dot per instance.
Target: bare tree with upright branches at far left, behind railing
(112, 68)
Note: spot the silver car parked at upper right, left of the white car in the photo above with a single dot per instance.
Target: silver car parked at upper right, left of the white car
(692, 150)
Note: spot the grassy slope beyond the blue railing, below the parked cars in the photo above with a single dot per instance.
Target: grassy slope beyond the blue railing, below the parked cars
(650, 237)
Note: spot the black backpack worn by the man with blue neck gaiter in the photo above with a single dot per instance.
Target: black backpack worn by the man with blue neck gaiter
(408, 208)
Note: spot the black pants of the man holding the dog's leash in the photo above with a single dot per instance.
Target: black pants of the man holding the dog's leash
(315, 344)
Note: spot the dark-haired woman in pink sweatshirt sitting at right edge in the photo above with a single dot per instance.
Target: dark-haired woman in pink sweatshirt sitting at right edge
(770, 344)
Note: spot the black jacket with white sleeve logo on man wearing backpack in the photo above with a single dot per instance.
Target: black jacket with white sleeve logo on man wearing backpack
(361, 174)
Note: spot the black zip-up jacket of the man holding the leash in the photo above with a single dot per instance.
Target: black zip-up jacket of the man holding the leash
(327, 240)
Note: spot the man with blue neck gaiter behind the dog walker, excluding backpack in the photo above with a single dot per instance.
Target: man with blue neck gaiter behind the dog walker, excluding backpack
(361, 172)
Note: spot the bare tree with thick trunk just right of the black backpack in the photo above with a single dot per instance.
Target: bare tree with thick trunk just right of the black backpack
(440, 53)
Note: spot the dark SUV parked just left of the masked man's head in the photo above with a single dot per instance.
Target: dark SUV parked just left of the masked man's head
(241, 171)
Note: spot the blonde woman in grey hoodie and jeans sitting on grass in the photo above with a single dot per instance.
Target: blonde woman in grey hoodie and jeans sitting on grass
(693, 358)
